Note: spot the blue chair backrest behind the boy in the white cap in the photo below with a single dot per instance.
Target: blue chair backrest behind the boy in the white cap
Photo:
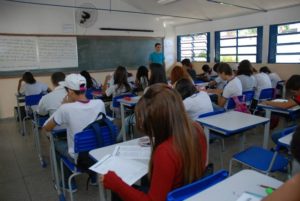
(86, 140)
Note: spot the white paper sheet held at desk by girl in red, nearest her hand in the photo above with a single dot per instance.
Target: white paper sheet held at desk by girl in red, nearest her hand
(130, 171)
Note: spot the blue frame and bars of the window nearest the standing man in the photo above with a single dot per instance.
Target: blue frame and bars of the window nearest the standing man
(195, 34)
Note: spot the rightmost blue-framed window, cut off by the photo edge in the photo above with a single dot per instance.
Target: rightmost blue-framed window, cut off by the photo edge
(284, 44)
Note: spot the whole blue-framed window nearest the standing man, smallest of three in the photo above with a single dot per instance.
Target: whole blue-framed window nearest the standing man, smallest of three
(194, 47)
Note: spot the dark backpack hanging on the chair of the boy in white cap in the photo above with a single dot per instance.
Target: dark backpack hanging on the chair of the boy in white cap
(105, 133)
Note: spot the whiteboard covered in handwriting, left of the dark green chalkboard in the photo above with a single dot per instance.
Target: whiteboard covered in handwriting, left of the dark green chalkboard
(37, 52)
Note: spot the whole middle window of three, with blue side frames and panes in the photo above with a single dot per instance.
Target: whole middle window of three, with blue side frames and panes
(237, 45)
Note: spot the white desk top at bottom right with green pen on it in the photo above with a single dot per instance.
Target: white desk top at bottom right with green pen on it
(232, 187)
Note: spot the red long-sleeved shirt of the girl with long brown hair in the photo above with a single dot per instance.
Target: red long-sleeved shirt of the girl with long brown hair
(166, 174)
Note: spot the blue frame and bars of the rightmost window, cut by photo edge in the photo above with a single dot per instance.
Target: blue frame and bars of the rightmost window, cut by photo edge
(273, 34)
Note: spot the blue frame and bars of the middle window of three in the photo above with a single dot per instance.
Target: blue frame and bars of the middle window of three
(259, 43)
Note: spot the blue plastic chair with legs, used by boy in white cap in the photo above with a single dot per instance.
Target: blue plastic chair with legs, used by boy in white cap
(86, 141)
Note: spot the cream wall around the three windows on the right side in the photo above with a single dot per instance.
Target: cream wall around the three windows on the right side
(291, 14)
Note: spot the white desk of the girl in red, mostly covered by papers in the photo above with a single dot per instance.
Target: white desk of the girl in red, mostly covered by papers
(99, 153)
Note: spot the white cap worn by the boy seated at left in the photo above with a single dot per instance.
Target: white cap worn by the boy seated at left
(75, 82)
